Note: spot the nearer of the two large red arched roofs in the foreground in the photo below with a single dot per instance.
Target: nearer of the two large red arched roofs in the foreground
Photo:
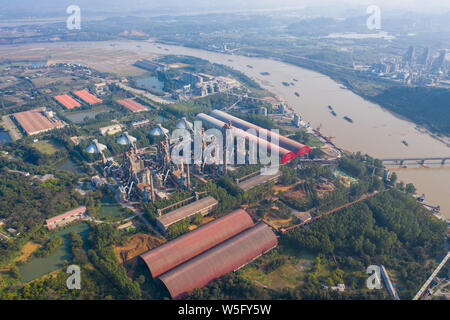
(220, 260)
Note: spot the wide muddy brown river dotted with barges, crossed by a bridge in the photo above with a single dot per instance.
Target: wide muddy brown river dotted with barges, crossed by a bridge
(374, 131)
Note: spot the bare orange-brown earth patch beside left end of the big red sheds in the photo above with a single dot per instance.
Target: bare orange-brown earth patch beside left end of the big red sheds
(138, 244)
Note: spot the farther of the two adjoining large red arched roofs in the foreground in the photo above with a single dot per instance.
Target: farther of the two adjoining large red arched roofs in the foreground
(175, 252)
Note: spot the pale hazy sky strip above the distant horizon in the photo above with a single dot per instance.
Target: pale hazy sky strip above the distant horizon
(49, 7)
